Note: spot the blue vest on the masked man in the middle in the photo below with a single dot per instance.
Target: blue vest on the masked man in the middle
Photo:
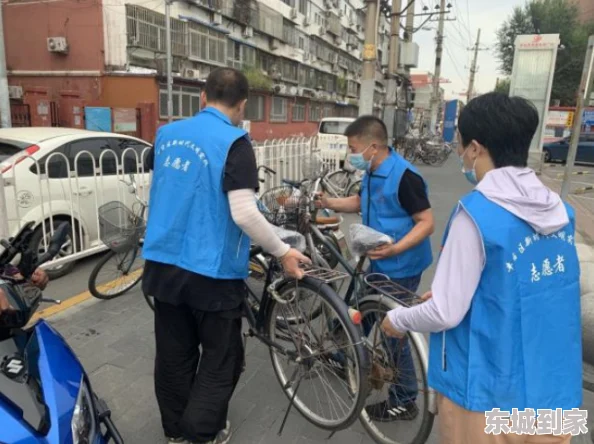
(381, 211)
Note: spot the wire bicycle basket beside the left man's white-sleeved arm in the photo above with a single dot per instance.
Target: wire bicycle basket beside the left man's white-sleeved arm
(280, 206)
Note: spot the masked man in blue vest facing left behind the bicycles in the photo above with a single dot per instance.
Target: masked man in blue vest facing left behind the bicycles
(394, 201)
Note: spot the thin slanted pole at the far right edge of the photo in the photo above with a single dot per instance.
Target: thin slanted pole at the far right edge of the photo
(584, 93)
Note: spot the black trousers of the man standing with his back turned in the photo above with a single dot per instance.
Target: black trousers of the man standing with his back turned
(194, 389)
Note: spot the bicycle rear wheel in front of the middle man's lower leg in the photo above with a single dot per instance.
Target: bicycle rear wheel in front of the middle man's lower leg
(398, 381)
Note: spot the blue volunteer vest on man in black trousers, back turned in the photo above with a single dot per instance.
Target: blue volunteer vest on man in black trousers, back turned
(190, 223)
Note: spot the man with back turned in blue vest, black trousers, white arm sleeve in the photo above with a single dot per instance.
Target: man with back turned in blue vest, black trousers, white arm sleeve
(203, 214)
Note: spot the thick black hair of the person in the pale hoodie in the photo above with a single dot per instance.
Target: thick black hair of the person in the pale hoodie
(504, 125)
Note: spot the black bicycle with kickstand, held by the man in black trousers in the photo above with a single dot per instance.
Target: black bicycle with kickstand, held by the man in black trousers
(278, 317)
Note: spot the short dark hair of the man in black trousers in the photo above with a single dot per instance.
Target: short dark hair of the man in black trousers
(226, 86)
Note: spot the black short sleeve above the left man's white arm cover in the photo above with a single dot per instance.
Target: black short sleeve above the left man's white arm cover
(241, 171)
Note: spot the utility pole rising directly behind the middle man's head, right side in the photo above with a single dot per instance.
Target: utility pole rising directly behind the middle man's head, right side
(393, 62)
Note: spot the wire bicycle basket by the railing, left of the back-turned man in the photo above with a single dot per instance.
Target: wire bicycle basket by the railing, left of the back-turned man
(119, 228)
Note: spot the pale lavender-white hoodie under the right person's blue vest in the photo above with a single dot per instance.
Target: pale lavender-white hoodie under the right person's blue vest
(462, 260)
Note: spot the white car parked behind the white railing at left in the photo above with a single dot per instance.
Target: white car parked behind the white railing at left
(57, 175)
